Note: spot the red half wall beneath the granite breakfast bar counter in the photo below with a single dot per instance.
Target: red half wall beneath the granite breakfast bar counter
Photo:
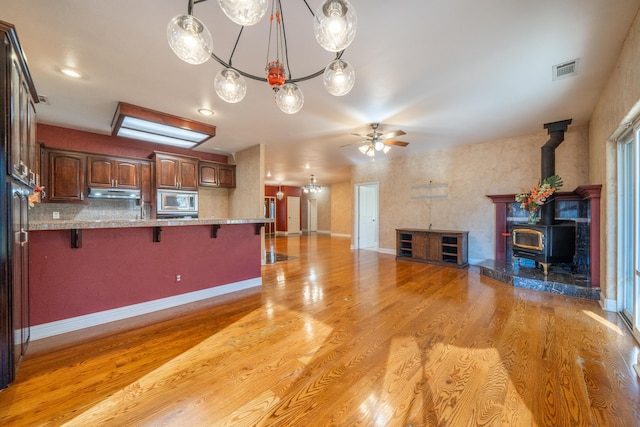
(123, 266)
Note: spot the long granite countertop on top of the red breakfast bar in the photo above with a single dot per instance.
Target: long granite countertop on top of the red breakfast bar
(132, 223)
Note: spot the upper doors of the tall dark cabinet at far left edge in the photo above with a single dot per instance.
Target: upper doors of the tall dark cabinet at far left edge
(23, 158)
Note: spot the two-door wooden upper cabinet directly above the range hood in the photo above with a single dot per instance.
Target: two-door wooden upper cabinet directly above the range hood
(113, 172)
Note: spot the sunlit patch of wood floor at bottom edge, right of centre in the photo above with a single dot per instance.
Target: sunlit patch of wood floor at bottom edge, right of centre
(444, 384)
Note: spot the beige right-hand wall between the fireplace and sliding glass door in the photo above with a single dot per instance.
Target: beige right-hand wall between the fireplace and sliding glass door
(617, 105)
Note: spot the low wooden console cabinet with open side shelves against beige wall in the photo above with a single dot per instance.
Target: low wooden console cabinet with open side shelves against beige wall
(445, 247)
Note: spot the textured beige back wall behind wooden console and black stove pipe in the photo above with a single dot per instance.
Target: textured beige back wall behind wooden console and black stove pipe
(447, 189)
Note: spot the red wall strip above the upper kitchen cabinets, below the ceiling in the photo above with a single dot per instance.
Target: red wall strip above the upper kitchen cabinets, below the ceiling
(71, 139)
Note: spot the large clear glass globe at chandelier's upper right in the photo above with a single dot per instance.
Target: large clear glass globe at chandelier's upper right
(335, 24)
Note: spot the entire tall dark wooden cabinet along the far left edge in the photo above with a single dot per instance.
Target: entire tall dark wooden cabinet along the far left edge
(18, 176)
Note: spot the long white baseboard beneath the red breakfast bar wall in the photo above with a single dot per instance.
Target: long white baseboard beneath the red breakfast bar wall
(50, 329)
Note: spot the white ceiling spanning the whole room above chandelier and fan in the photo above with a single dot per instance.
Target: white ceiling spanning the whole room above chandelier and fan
(446, 72)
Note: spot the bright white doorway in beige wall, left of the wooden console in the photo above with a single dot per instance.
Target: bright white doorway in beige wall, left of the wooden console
(366, 216)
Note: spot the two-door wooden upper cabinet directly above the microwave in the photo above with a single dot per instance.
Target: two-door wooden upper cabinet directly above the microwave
(176, 172)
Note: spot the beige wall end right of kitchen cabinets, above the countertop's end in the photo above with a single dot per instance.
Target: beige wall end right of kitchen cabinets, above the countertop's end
(246, 200)
